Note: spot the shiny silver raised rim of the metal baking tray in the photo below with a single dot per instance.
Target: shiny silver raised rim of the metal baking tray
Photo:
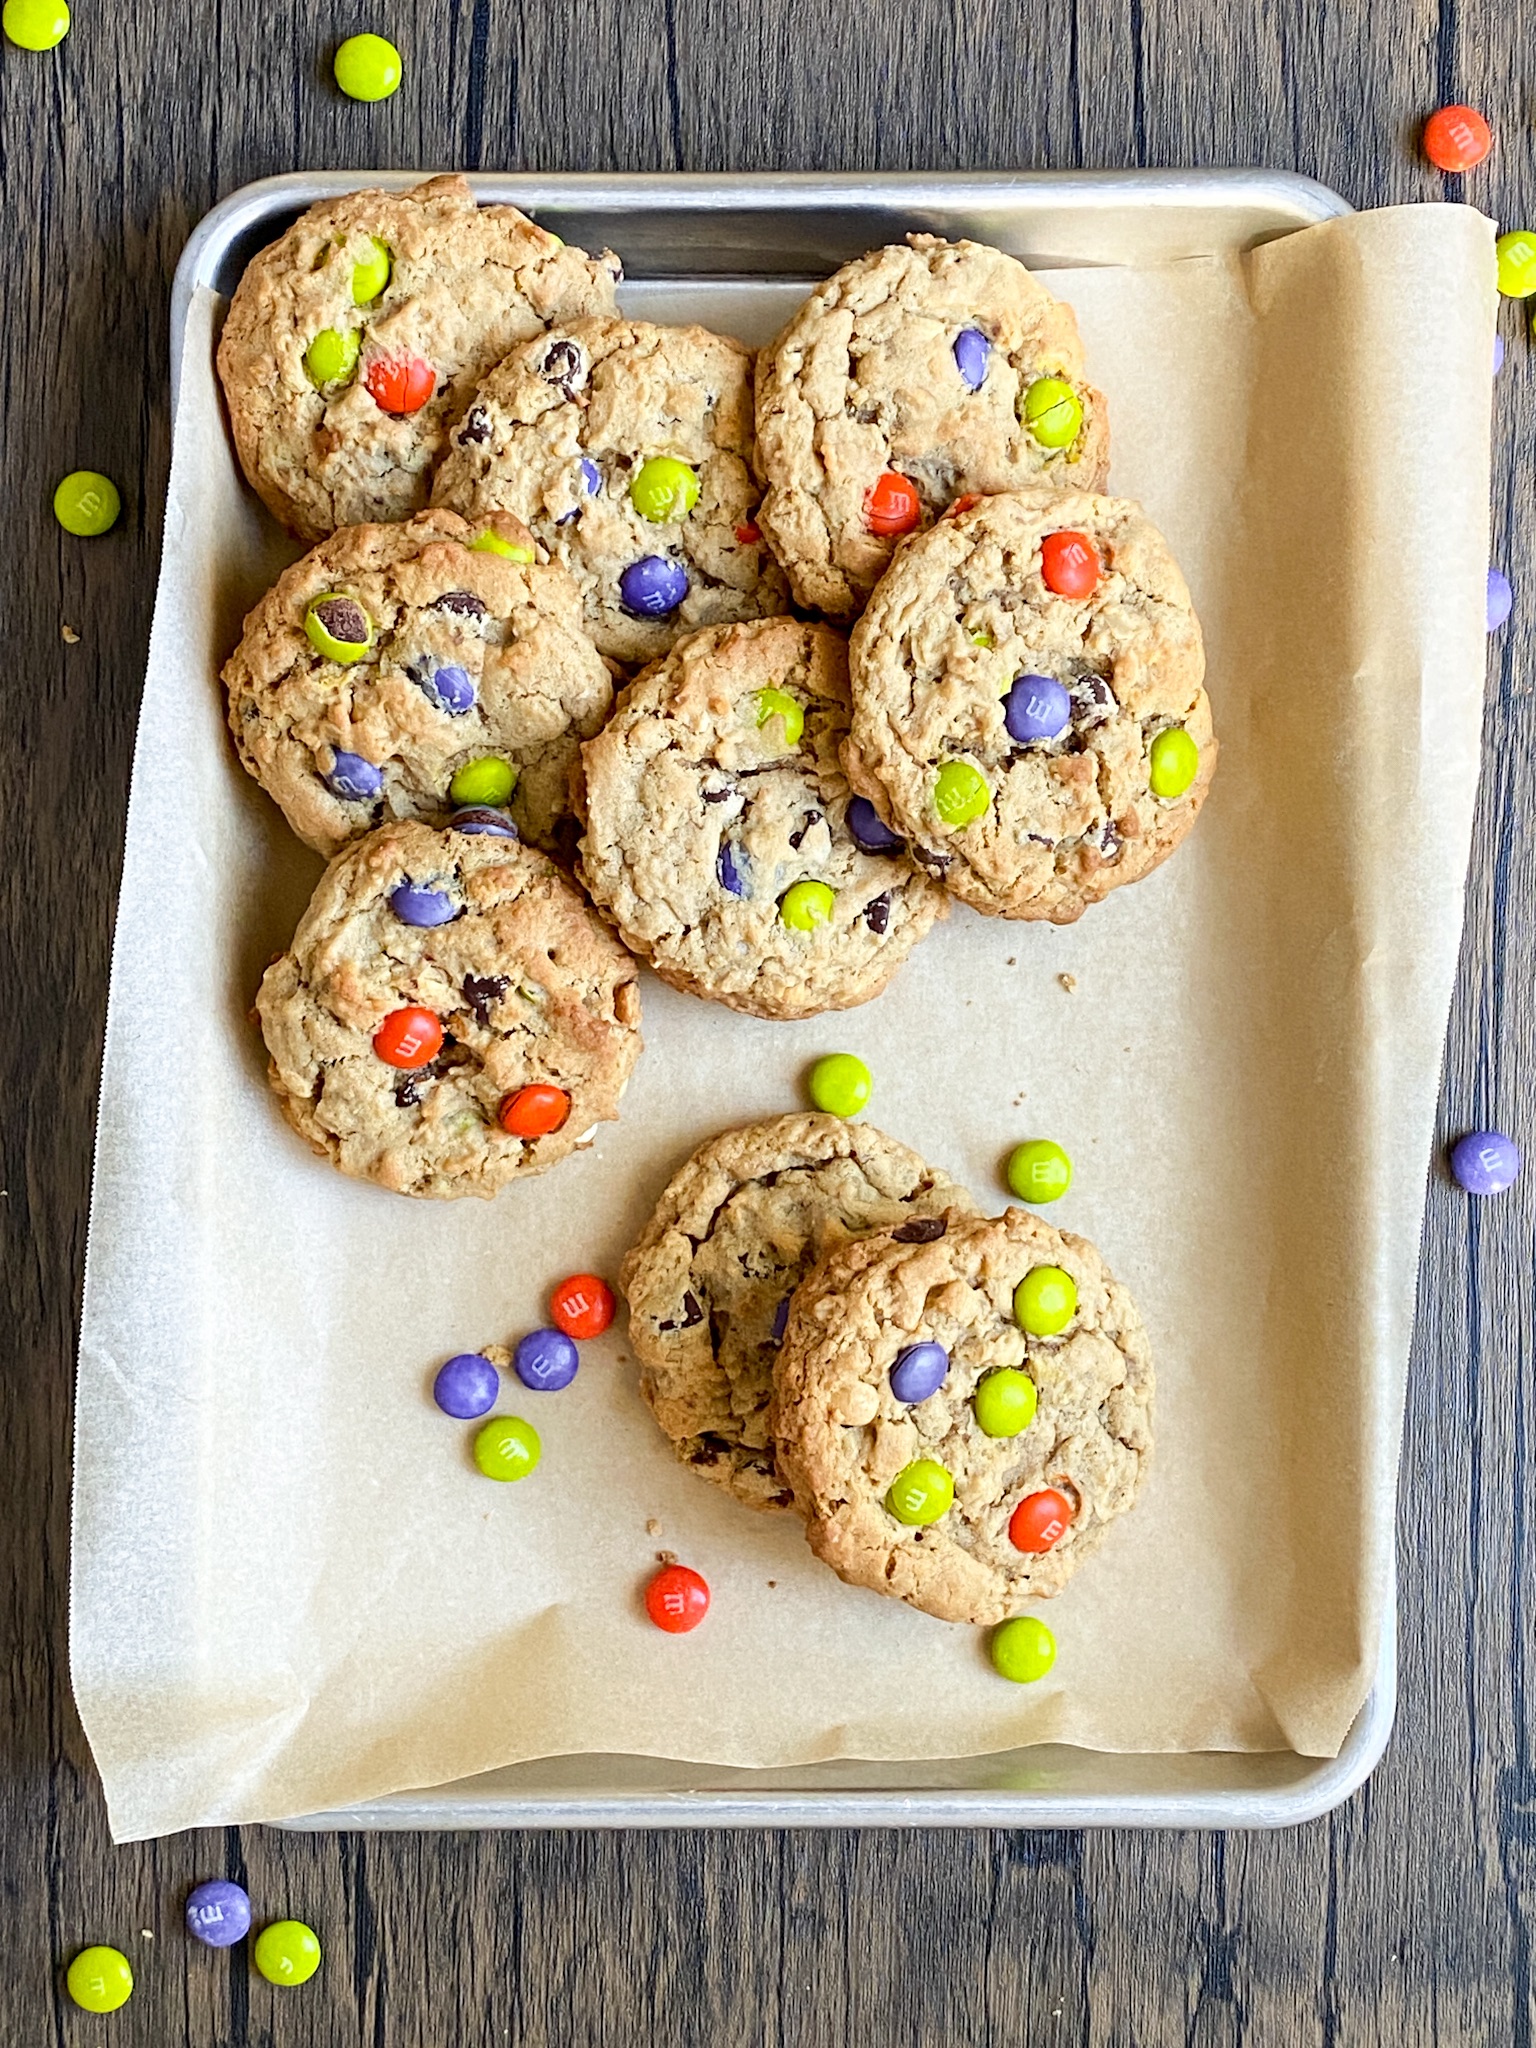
(1291, 202)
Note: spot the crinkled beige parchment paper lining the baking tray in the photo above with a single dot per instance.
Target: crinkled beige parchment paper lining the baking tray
(292, 1590)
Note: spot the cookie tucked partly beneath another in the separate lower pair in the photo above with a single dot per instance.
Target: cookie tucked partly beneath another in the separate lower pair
(732, 1236)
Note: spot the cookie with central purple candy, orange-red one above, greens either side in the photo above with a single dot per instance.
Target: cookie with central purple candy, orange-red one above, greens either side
(1029, 701)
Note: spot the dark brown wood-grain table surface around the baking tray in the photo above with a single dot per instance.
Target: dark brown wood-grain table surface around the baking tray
(1402, 1918)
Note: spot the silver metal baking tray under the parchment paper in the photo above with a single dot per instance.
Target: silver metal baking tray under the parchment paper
(755, 243)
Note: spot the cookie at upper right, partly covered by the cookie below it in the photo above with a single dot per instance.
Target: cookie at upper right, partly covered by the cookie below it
(908, 380)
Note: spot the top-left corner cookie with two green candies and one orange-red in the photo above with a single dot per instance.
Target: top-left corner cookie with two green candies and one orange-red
(353, 343)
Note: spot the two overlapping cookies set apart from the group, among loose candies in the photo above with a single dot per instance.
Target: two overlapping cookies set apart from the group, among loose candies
(957, 1406)
